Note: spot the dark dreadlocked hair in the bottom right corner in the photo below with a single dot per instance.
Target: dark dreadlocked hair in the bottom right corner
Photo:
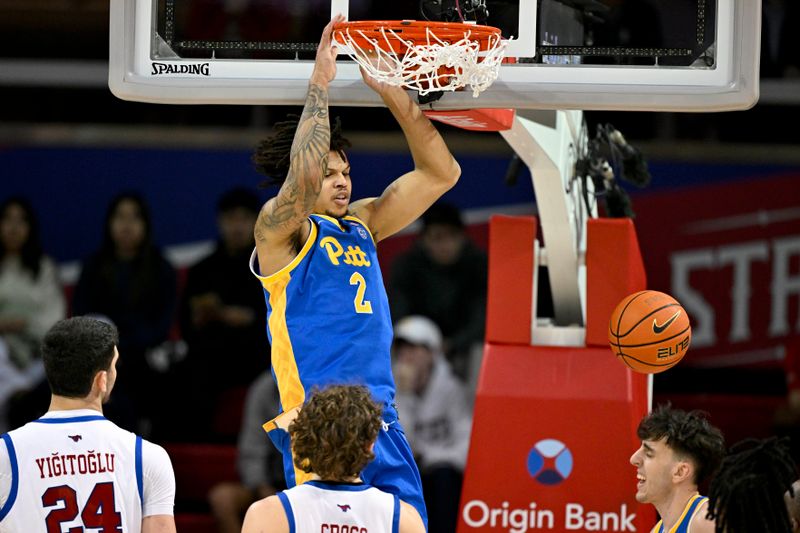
(746, 495)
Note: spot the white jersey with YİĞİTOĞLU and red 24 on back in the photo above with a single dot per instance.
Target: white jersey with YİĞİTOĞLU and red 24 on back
(75, 470)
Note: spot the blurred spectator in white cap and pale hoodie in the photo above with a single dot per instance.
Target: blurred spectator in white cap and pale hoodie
(433, 408)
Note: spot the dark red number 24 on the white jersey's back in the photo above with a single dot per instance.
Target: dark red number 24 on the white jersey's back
(99, 513)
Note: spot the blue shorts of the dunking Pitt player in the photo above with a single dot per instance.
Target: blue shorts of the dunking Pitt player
(393, 470)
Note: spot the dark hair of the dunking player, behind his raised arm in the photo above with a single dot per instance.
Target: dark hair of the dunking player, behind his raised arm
(271, 156)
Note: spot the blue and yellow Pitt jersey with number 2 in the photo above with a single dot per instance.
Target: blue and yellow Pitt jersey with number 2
(328, 316)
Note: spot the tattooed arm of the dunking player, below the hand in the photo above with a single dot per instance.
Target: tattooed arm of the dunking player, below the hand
(309, 162)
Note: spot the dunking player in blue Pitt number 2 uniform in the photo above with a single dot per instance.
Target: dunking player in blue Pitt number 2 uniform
(328, 316)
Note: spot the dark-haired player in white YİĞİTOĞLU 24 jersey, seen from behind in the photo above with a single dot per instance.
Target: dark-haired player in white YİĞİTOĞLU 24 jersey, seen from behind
(72, 469)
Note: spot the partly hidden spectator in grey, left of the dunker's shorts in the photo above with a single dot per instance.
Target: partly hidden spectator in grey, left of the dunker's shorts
(259, 463)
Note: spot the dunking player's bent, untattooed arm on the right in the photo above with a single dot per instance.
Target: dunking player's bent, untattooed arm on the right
(435, 168)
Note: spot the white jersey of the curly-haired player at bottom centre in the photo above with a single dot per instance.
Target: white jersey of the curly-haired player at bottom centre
(325, 507)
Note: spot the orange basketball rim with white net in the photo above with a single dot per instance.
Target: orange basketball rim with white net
(425, 56)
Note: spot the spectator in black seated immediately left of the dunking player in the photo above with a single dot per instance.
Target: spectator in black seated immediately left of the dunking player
(222, 316)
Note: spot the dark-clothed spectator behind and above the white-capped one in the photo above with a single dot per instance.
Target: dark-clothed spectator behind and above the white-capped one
(443, 277)
